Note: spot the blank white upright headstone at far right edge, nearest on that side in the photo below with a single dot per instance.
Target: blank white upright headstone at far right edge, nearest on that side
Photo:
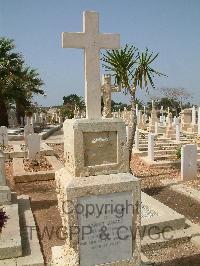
(188, 162)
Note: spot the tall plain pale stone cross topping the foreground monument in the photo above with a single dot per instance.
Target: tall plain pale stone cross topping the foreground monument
(91, 40)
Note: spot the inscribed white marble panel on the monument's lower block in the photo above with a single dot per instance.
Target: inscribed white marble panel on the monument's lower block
(110, 231)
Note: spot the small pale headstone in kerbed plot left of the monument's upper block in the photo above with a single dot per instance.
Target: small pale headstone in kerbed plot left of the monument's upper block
(33, 142)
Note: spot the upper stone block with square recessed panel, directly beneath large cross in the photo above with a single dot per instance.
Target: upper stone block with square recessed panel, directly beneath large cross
(95, 147)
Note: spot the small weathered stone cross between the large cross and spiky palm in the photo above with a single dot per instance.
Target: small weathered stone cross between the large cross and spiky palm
(107, 89)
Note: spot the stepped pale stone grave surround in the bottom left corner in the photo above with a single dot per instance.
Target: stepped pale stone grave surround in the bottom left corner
(23, 233)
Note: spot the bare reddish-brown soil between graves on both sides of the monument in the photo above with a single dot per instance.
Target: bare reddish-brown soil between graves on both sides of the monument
(48, 221)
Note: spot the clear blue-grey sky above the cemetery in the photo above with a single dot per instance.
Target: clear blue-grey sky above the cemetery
(170, 28)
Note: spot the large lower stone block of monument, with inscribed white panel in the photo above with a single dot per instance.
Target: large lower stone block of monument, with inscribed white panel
(79, 200)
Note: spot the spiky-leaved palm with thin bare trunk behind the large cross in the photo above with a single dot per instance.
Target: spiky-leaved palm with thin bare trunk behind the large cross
(131, 70)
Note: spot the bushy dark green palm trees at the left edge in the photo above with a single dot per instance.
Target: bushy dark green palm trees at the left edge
(18, 82)
